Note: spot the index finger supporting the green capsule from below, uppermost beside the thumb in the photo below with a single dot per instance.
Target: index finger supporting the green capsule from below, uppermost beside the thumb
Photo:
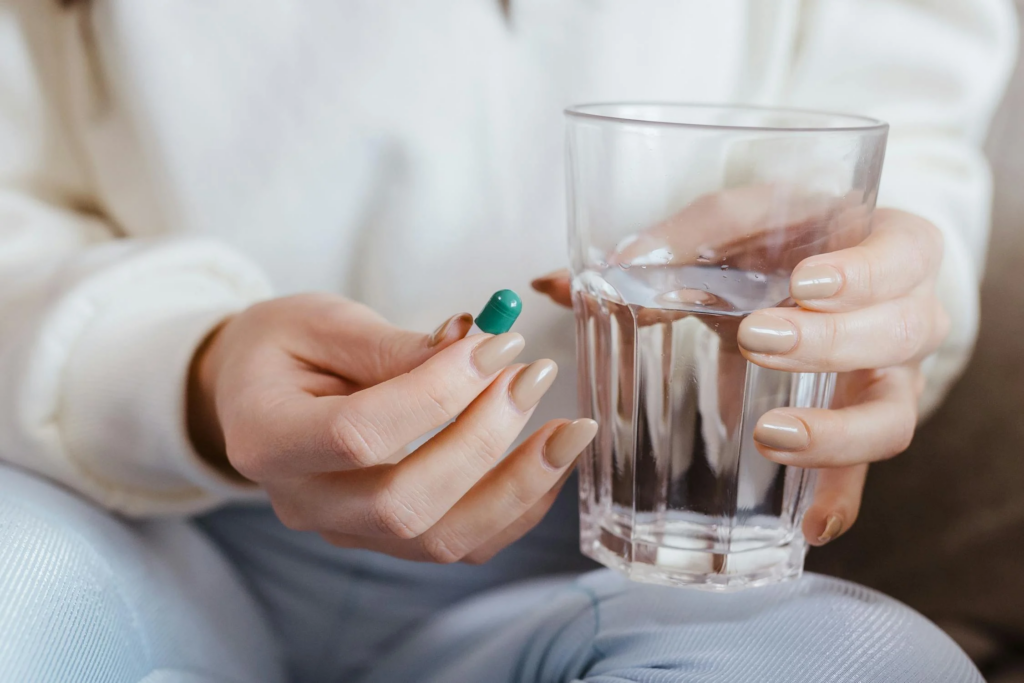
(337, 434)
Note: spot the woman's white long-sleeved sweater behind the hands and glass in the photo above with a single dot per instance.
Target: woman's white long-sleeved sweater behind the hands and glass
(163, 164)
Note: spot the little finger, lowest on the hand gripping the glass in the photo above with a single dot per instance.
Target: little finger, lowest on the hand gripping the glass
(836, 504)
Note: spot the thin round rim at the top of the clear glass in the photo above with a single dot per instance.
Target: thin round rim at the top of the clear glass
(856, 122)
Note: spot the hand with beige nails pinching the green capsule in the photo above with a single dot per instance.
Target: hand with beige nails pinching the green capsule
(312, 397)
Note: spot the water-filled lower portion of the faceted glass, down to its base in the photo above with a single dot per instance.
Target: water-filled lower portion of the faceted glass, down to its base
(673, 490)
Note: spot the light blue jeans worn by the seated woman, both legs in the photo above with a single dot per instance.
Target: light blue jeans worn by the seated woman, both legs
(86, 596)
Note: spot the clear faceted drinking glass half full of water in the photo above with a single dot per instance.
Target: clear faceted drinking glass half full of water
(685, 220)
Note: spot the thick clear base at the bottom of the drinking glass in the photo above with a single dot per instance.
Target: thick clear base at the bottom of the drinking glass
(692, 562)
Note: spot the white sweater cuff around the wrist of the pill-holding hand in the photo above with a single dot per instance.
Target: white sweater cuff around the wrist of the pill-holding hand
(123, 415)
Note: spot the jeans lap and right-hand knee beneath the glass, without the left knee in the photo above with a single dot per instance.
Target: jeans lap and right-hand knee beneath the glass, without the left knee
(349, 616)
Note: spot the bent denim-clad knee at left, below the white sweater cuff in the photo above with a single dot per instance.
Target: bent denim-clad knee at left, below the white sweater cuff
(84, 588)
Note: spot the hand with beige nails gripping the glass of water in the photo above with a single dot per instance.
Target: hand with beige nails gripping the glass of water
(870, 313)
